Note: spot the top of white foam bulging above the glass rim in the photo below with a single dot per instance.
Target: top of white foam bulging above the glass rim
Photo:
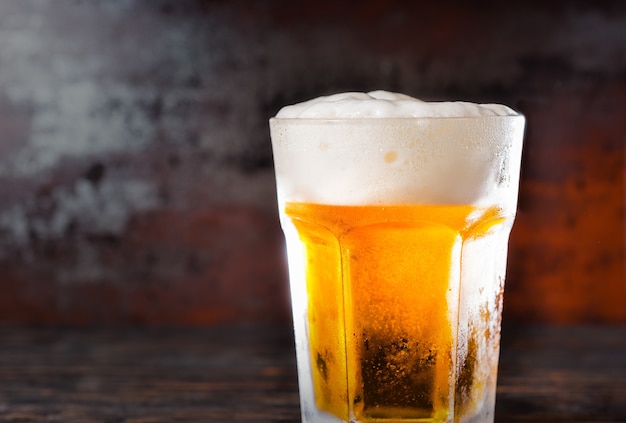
(385, 104)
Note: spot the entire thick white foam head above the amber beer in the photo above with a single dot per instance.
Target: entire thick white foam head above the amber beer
(383, 148)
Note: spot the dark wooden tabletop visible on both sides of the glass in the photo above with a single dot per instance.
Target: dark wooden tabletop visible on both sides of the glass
(244, 374)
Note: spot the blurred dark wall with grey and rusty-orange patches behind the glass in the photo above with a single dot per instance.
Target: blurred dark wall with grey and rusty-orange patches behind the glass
(136, 179)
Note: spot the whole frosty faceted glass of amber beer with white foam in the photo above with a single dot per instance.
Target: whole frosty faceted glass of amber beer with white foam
(396, 215)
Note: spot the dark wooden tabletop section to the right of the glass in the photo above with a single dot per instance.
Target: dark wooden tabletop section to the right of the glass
(565, 374)
